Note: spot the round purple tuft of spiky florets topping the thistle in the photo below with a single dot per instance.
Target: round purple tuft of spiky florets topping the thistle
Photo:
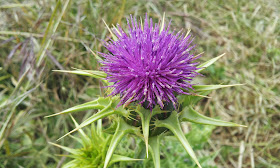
(149, 64)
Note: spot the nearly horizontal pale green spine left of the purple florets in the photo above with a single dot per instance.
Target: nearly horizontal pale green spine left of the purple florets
(95, 74)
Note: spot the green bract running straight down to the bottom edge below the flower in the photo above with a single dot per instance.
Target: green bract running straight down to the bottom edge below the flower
(154, 150)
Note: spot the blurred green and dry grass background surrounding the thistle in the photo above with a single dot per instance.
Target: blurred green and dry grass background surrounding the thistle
(38, 36)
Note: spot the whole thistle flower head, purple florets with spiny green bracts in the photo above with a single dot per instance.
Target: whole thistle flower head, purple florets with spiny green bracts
(149, 66)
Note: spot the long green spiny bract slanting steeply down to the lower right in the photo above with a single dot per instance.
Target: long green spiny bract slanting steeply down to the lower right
(173, 124)
